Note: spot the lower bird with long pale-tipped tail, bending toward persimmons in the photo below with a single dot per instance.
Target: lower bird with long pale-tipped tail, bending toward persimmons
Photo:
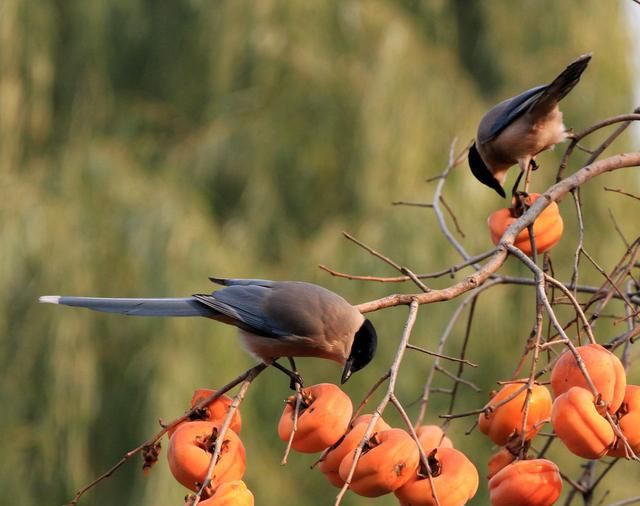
(275, 318)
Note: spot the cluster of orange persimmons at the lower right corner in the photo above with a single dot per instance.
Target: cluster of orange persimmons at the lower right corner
(578, 419)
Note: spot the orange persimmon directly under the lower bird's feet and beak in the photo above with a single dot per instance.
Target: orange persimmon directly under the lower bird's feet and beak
(324, 417)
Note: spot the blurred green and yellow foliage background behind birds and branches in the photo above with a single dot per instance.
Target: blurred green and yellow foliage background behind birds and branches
(146, 145)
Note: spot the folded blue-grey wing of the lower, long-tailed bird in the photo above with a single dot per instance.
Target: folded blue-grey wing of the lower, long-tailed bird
(242, 305)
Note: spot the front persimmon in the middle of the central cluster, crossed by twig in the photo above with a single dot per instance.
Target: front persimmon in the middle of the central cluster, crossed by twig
(388, 460)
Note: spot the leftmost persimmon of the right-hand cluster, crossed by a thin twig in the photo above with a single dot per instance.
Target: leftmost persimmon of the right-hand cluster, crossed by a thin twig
(505, 421)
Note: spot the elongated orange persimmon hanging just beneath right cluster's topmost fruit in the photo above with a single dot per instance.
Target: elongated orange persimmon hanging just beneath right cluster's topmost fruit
(584, 431)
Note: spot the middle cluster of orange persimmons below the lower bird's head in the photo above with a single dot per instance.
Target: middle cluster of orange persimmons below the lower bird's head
(390, 461)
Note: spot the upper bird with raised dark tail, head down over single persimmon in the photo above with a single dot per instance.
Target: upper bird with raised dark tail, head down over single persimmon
(519, 128)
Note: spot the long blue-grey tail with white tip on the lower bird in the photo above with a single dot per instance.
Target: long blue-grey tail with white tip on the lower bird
(187, 306)
